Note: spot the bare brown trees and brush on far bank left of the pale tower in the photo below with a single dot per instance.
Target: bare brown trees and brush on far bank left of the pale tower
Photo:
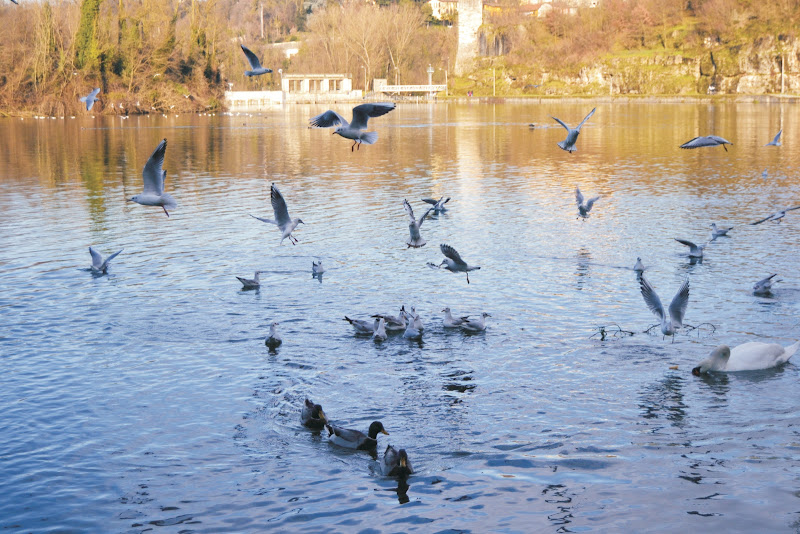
(181, 55)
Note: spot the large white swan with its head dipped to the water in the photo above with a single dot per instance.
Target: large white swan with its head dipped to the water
(750, 356)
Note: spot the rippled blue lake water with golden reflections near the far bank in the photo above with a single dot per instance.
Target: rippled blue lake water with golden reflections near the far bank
(146, 400)
